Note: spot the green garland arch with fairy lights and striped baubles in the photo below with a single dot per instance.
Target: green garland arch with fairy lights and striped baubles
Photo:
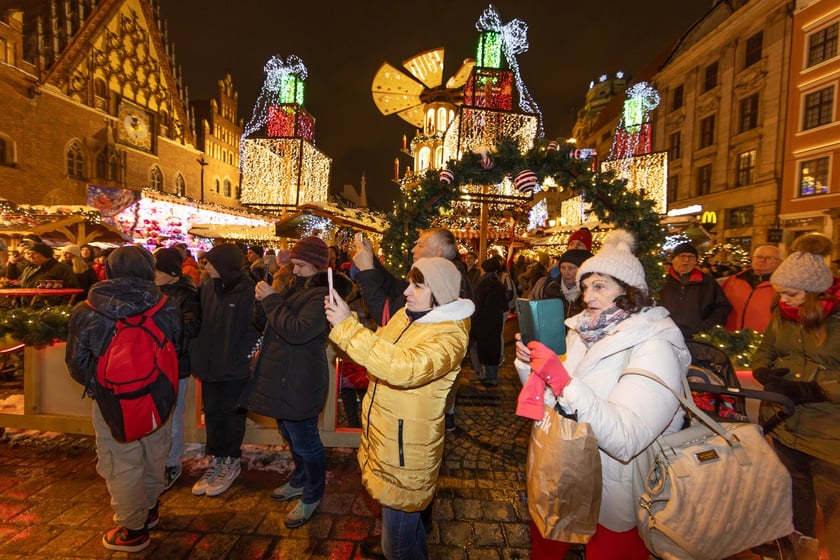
(611, 202)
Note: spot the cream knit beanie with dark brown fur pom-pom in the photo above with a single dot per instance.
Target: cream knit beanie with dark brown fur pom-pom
(805, 269)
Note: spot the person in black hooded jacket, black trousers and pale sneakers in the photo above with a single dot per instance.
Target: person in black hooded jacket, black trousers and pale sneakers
(221, 359)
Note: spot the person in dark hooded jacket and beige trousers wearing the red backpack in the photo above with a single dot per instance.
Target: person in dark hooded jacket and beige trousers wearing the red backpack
(133, 471)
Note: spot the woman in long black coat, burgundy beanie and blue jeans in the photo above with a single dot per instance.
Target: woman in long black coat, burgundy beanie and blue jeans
(291, 375)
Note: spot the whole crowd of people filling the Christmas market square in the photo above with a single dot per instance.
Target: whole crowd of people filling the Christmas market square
(254, 325)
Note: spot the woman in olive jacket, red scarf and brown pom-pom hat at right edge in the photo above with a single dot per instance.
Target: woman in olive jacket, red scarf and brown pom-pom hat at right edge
(799, 356)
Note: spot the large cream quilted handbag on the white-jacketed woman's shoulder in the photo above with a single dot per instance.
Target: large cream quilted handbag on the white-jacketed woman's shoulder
(711, 490)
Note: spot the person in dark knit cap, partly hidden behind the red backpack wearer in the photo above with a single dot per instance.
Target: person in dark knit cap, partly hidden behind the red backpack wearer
(181, 291)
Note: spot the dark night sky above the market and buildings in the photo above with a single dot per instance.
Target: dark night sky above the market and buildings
(342, 45)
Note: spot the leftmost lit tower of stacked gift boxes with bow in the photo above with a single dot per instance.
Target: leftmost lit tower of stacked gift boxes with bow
(281, 167)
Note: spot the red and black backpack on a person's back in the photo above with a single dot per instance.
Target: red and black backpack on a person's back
(137, 376)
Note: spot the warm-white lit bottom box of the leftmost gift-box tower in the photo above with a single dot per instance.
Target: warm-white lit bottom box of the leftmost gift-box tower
(283, 172)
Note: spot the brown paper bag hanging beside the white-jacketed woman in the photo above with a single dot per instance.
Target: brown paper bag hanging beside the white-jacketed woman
(564, 478)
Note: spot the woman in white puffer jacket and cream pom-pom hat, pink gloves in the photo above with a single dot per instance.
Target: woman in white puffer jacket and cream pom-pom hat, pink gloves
(620, 330)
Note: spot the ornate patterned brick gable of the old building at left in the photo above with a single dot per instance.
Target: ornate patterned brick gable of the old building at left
(120, 56)
